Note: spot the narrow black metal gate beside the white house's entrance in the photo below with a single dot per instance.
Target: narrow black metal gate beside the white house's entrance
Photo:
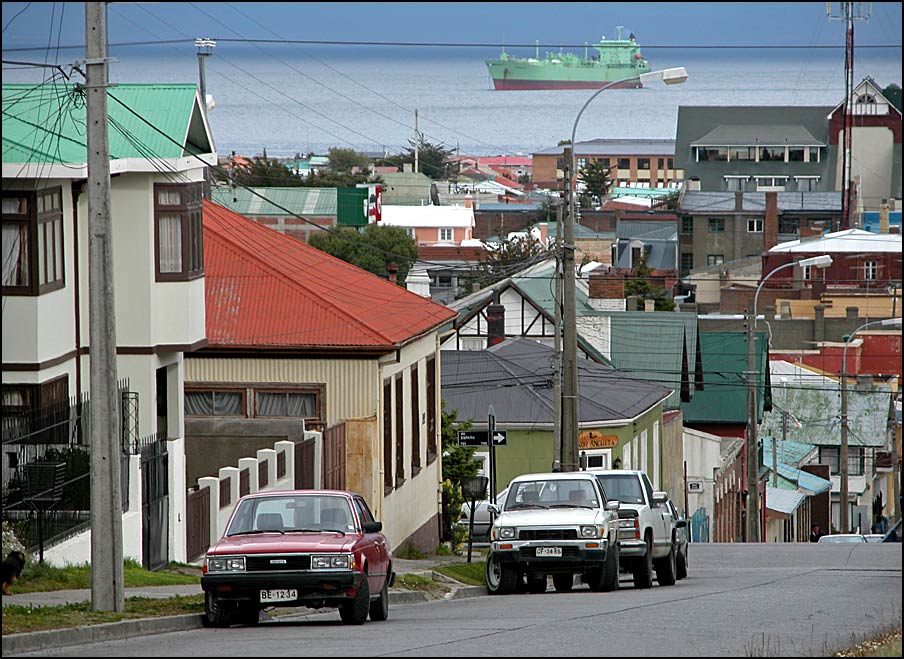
(155, 504)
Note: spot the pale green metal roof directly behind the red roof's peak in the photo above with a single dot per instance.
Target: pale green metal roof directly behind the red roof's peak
(255, 201)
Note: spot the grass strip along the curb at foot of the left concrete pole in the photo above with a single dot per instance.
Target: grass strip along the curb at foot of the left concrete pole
(18, 619)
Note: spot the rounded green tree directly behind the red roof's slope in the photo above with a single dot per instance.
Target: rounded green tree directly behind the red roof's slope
(372, 249)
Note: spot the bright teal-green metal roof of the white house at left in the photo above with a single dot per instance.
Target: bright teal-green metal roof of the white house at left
(45, 124)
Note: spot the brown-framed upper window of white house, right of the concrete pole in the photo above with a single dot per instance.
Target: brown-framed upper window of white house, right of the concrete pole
(179, 233)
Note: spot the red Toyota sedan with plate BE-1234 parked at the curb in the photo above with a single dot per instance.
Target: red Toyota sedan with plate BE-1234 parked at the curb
(313, 548)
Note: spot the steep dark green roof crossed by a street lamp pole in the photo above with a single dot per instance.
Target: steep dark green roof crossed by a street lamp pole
(723, 398)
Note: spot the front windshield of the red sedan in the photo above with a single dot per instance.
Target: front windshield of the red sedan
(292, 513)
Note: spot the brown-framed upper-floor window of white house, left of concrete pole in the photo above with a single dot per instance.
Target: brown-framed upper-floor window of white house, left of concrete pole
(32, 242)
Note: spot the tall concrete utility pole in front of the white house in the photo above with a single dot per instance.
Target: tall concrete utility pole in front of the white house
(104, 416)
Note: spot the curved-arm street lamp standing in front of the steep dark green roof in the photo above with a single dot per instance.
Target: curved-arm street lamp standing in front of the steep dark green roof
(753, 462)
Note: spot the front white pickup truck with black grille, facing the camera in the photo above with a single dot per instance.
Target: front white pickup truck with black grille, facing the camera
(557, 524)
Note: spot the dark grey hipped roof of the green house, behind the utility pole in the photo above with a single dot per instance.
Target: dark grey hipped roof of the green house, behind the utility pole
(516, 376)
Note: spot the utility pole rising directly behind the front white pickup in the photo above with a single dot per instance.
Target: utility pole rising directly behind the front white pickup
(569, 318)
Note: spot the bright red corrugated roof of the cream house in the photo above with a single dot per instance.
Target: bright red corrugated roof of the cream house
(267, 289)
